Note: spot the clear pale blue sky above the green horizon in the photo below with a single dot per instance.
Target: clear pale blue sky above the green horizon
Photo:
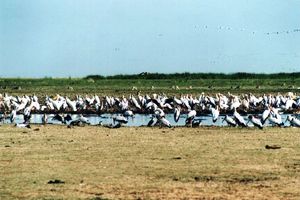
(75, 38)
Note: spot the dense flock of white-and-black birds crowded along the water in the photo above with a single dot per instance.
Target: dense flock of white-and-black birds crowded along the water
(233, 108)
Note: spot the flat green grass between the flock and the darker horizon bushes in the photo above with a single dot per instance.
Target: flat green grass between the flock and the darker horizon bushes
(72, 86)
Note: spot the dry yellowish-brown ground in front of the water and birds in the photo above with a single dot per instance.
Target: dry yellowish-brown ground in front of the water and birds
(149, 163)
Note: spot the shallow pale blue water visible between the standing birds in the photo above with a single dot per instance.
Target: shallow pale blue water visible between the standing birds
(137, 120)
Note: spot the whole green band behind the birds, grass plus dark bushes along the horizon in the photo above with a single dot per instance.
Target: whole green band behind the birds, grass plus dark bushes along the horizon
(171, 84)
